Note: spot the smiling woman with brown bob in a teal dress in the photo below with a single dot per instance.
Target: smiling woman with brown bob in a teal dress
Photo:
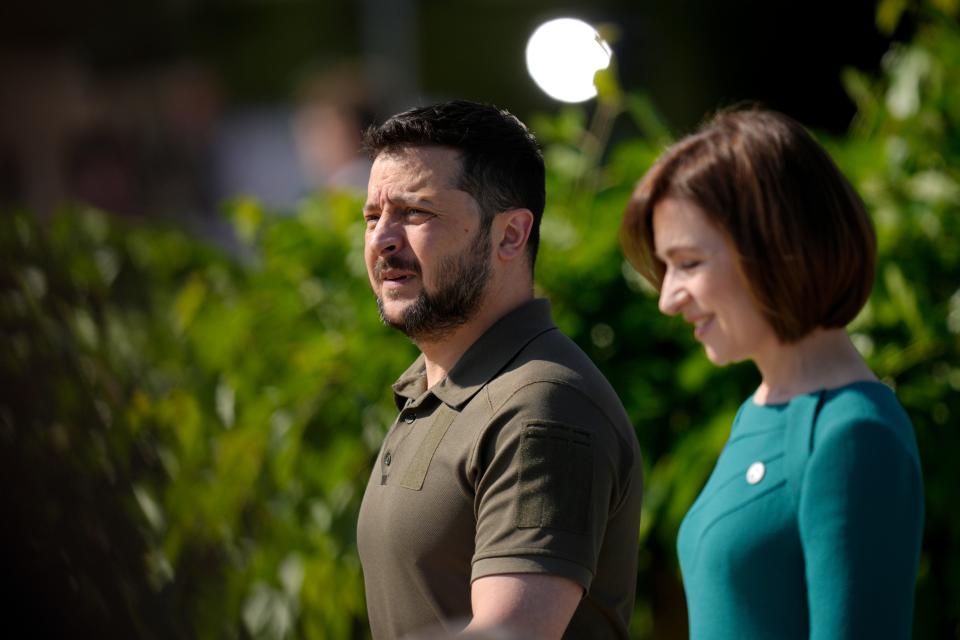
(810, 524)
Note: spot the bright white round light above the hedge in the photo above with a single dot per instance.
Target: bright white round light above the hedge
(563, 55)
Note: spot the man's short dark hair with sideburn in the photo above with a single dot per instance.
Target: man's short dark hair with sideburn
(501, 165)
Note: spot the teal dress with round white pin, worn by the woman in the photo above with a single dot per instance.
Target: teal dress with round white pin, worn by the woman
(810, 524)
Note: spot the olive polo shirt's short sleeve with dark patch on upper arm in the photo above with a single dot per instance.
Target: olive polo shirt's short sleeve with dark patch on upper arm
(547, 476)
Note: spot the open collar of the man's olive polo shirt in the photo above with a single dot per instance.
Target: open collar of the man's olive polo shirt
(483, 360)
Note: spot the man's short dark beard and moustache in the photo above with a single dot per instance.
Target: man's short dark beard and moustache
(461, 281)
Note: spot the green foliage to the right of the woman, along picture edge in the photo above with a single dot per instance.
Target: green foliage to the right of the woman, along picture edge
(904, 152)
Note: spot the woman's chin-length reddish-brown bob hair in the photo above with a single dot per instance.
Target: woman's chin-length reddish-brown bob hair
(801, 235)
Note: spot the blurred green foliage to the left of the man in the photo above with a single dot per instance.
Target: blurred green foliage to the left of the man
(229, 409)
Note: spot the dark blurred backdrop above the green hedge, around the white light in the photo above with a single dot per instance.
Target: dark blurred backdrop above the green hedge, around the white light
(165, 109)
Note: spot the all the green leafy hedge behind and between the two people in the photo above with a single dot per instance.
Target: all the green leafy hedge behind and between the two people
(185, 435)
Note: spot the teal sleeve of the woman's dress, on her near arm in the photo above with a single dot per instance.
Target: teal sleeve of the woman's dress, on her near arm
(861, 520)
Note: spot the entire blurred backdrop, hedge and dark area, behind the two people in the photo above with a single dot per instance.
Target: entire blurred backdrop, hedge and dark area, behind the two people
(193, 378)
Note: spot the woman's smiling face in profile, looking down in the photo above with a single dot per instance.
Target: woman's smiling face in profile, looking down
(702, 282)
